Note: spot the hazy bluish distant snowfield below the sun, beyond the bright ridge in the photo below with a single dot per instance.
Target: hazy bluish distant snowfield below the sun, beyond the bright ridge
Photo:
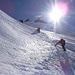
(59, 28)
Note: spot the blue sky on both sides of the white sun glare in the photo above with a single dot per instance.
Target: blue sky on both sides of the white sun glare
(24, 9)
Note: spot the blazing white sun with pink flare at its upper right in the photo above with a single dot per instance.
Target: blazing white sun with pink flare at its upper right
(58, 11)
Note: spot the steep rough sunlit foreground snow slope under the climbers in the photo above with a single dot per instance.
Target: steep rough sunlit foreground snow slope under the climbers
(25, 53)
